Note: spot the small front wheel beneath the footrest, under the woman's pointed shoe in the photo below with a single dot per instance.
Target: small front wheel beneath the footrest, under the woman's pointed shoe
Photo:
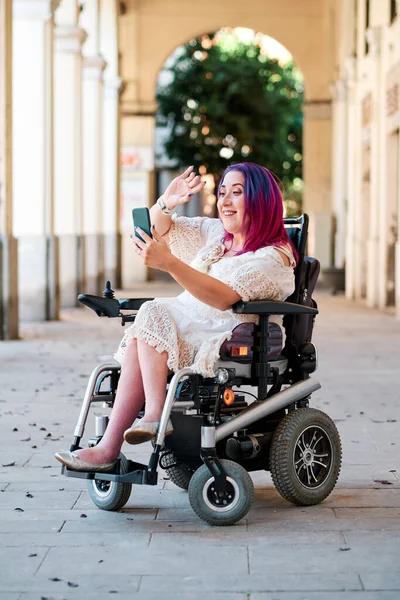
(110, 495)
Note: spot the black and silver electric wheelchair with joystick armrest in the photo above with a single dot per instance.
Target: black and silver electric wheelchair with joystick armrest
(218, 436)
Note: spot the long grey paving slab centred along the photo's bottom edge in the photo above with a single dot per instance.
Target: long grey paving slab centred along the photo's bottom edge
(267, 582)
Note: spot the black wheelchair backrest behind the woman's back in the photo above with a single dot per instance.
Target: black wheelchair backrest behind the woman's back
(299, 328)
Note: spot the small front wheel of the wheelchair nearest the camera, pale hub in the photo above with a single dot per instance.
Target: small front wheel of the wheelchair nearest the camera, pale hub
(217, 511)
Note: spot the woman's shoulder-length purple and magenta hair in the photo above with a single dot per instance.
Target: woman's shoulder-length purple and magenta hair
(263, 208)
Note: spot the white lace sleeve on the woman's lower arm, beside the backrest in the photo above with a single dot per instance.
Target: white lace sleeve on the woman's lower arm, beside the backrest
(262, 277)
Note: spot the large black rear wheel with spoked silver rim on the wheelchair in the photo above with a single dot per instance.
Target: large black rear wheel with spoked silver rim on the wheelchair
(301, 437)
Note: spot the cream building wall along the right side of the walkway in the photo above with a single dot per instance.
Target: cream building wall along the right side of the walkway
(366, 150)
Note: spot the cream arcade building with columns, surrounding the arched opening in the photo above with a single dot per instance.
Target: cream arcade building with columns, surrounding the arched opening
(77, 119)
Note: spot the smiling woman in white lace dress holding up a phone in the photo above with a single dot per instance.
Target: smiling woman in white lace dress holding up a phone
(243, 255)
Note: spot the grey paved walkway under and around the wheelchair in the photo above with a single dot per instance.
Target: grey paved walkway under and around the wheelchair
(56, 544)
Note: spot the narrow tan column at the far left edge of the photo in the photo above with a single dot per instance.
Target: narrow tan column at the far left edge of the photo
(8, 243)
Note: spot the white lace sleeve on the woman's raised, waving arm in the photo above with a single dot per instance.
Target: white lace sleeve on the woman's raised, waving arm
(186, 237)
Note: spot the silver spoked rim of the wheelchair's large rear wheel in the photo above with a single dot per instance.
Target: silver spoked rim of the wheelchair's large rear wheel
(313, 457)
